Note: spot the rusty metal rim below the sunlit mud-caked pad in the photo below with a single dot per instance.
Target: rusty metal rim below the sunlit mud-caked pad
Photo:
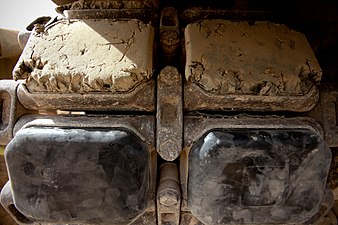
(142, 98)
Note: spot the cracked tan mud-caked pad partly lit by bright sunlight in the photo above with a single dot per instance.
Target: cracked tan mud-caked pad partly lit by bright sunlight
(87, 56)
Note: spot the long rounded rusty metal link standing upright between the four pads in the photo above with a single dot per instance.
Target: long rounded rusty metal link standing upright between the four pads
(169, 114)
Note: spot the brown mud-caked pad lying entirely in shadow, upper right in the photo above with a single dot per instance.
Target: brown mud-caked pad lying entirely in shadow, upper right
(225, 57)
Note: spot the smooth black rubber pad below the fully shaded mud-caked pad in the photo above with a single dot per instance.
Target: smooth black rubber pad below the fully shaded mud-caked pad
(257, 176)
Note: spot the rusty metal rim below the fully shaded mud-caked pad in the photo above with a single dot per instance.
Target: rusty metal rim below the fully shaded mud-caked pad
(195, 98)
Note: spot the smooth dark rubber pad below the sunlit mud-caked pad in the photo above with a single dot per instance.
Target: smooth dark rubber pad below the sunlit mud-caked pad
(79, 176)
